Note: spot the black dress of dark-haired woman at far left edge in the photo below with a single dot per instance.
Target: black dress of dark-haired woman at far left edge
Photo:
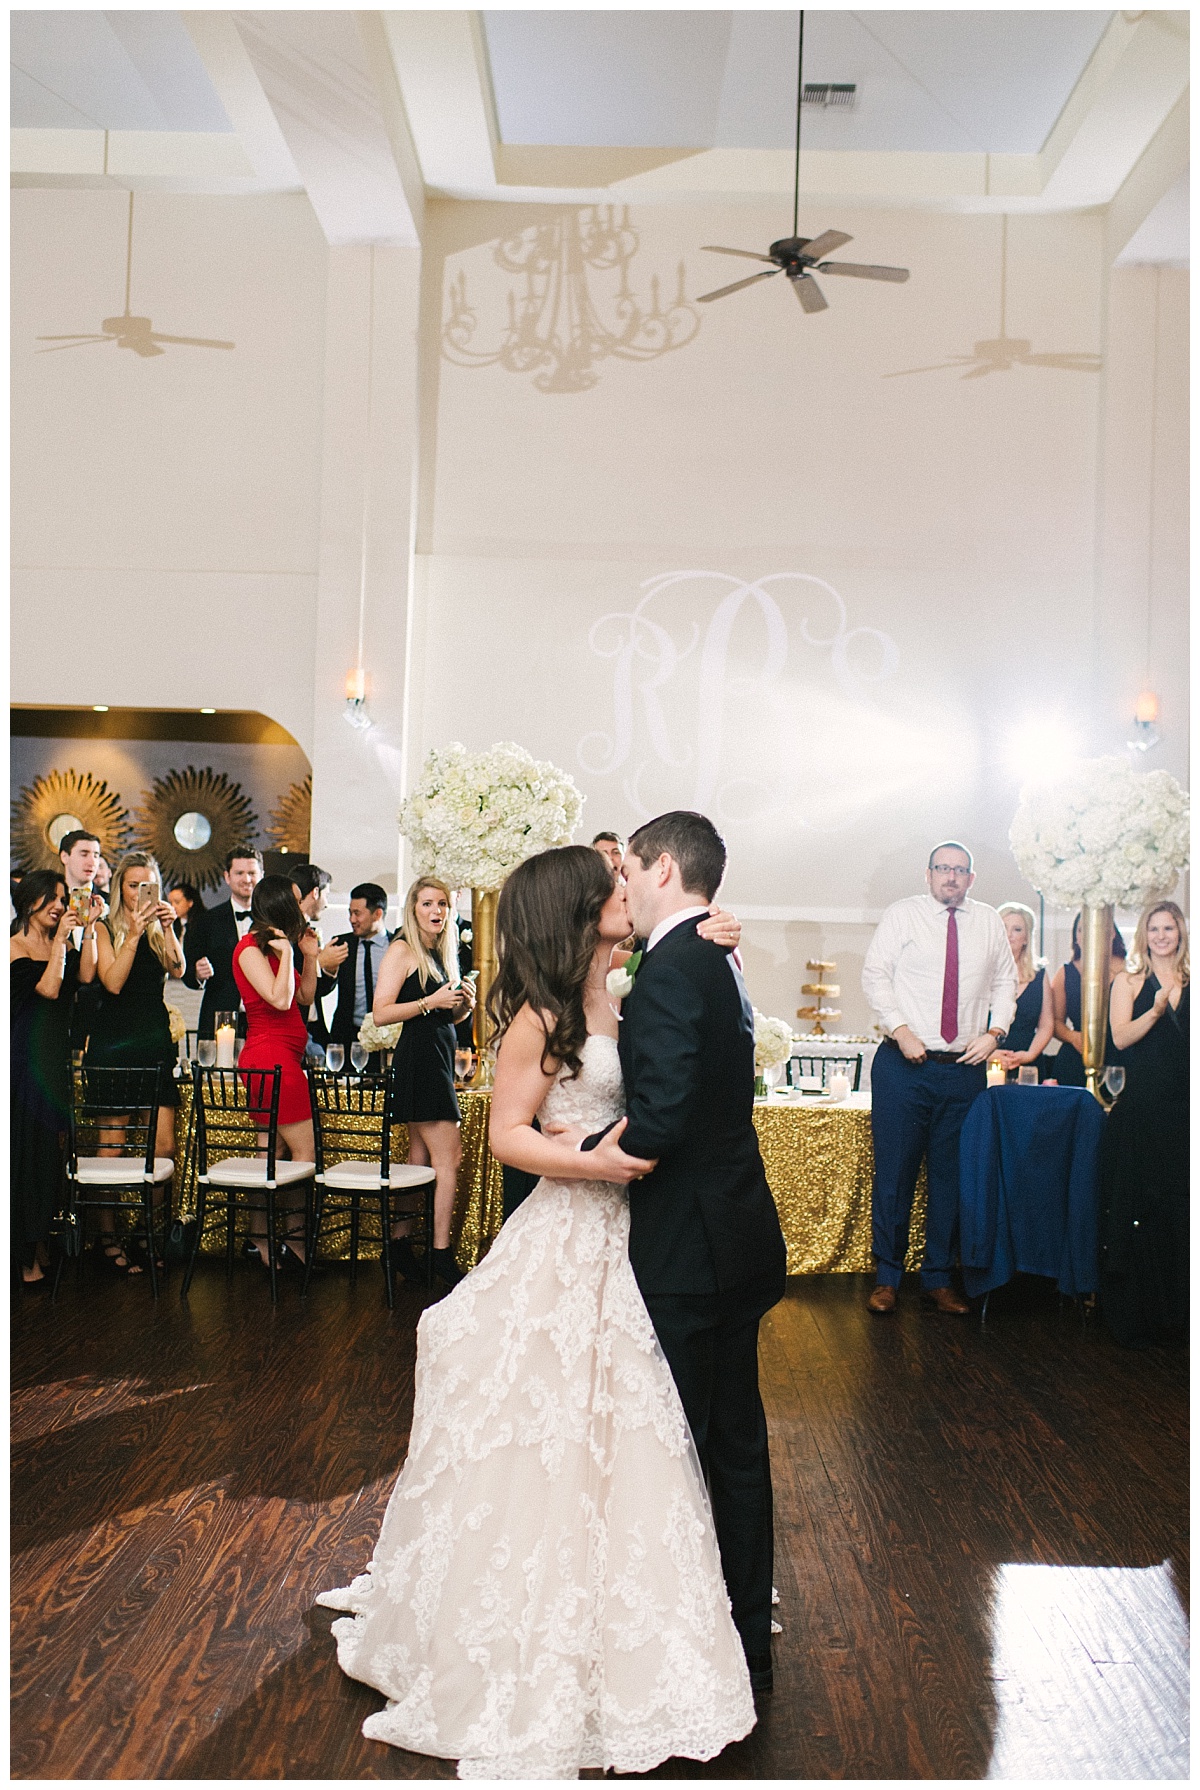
(40, 1082)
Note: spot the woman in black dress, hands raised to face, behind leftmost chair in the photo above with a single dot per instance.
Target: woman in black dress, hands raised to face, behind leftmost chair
(137, 955)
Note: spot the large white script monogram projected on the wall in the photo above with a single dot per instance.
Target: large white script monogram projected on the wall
(707, 699)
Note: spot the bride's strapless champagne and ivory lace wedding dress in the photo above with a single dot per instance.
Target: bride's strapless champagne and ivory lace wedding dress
(547, 1592)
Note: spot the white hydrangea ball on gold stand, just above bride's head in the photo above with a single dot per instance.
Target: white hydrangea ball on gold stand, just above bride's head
(474, 817)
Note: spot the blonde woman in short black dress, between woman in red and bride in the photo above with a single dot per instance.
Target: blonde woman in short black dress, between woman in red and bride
(420, 987)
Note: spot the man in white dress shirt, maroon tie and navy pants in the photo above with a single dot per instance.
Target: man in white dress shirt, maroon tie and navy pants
(943, 984)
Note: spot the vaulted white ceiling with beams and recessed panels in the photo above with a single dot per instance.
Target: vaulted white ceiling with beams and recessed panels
(370, 112)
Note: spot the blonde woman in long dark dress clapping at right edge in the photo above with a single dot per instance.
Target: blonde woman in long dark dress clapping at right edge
(1145, 1184)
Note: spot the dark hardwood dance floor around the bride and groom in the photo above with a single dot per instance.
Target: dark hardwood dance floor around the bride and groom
(981, 1535)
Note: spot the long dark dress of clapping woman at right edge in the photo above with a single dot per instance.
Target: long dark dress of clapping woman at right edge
(1144, 1218)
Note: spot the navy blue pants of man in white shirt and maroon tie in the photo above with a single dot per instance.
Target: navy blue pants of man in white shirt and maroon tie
(918, 1111)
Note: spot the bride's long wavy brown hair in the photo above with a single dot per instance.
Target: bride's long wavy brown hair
(547, 932)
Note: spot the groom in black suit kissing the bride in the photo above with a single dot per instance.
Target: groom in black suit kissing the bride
(705, 1238)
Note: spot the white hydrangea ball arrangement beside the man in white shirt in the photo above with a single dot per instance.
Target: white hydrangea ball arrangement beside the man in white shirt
(1102, 837)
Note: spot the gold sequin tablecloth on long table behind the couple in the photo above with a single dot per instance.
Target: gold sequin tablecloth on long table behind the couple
(819, 1166)
